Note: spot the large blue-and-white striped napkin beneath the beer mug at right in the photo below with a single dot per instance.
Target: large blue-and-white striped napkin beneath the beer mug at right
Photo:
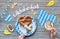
(43, 16)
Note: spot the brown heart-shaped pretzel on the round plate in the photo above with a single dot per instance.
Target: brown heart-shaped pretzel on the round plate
(25, 20)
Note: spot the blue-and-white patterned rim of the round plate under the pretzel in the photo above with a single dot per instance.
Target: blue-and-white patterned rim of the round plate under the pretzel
(18, 29)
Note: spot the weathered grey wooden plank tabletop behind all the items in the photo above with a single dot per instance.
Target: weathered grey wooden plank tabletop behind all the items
(39, 34)
